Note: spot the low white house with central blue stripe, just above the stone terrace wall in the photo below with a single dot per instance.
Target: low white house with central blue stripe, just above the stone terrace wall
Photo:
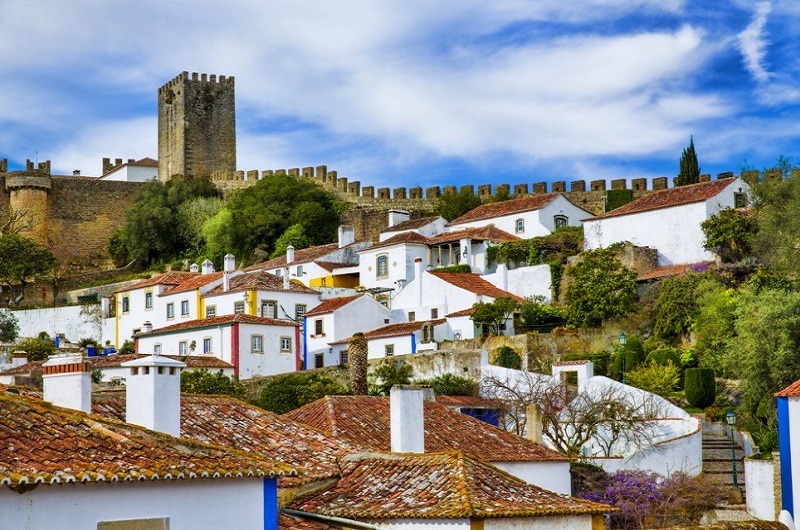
(403, 338)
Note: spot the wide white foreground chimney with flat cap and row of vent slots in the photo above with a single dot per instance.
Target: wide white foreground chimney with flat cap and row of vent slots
(153, 393)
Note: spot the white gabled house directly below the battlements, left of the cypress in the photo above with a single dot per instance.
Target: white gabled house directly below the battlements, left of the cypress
(526, 217)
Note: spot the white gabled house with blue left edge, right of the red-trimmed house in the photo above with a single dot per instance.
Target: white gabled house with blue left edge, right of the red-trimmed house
(335, 320)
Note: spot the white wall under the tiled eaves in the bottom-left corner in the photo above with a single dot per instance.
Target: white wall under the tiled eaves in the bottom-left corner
(189, 504)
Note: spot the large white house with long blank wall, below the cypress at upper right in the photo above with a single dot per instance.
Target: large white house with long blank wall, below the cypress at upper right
(668, 220)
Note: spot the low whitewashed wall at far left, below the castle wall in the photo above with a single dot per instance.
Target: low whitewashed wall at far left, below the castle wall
(75, 322)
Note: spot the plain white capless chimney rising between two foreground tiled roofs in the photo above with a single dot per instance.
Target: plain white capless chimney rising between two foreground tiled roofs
(407, 419)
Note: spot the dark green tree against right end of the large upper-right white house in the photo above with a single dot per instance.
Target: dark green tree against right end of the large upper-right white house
(729, 234)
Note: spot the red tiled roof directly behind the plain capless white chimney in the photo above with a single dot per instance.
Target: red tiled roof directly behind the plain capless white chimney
(366, 420)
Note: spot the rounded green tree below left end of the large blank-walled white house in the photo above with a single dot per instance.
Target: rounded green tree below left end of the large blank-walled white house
(599, 287)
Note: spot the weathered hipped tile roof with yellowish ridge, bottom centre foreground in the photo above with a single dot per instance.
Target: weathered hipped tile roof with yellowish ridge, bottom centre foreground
(446, 485)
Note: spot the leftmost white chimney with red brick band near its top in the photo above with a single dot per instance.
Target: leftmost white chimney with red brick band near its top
(67, 382)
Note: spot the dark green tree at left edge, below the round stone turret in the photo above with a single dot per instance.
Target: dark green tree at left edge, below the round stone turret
(22, 260)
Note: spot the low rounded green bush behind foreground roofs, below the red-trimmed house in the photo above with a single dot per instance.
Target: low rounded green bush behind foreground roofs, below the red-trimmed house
(287, 392)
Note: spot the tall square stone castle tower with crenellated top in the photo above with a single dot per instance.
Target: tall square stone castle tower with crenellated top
(196, 126)
